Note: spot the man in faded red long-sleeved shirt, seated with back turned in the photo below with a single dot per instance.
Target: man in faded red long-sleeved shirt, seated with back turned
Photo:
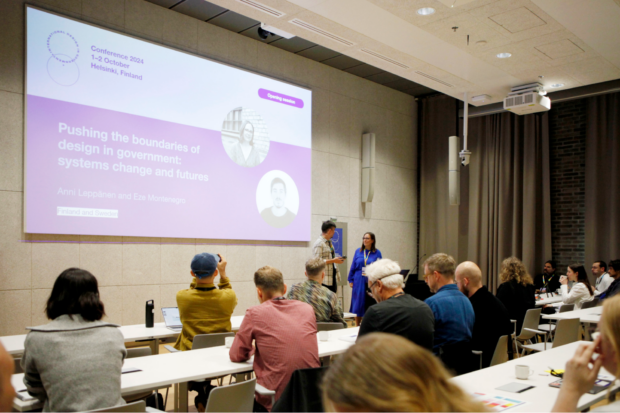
(284, 332)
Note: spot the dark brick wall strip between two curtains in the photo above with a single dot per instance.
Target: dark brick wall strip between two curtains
(567, 130)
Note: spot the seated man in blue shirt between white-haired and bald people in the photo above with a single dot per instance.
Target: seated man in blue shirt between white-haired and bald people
(454, 315)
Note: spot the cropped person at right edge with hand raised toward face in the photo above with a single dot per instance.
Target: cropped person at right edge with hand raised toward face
(579, 377)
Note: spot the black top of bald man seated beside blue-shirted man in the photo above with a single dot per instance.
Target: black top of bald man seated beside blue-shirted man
(492, 322)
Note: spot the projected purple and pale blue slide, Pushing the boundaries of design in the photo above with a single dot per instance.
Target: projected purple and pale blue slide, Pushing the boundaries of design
(120, 141)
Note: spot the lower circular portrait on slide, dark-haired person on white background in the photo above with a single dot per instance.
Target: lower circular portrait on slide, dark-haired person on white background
(277, 199)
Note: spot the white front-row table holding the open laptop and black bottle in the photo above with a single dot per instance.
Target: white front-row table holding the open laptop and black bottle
(14, 345)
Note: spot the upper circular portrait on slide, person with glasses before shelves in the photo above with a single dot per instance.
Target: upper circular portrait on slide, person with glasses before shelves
(245, 137)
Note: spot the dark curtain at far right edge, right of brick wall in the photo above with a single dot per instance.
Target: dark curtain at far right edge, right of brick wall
(602, 223)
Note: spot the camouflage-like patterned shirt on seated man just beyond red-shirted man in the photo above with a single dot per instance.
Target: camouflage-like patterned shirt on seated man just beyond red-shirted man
(325, 303)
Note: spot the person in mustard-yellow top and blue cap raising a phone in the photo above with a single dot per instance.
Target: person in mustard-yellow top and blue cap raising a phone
(204, 308)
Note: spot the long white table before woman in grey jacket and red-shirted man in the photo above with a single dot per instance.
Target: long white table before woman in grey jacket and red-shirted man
(180, 367)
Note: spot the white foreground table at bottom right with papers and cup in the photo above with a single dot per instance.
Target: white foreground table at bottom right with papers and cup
(542, 397)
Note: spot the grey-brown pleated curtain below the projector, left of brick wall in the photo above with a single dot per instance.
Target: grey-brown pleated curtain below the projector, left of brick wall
(508, 186)
